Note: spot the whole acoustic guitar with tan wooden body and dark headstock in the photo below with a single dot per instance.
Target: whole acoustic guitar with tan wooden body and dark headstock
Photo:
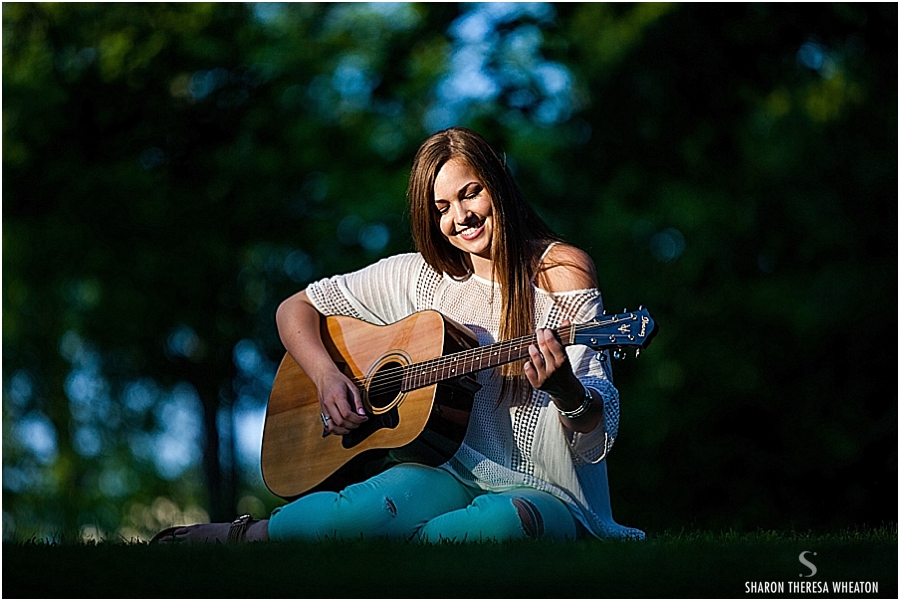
(417, 386)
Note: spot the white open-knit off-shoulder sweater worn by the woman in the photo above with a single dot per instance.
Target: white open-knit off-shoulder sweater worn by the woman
(521, 443)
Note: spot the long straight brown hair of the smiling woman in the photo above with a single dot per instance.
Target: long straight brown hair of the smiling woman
(519, 234)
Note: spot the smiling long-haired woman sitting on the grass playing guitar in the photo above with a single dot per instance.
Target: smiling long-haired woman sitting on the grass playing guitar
(532, 461)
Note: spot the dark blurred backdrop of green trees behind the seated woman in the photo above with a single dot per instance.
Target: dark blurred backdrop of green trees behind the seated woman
(171, 172)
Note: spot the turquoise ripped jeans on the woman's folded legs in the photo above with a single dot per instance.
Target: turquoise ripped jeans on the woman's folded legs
(415, 502)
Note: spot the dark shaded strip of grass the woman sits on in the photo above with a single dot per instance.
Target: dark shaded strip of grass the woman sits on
(683, 564)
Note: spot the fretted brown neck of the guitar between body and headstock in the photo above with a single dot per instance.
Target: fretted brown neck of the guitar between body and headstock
(426, 373)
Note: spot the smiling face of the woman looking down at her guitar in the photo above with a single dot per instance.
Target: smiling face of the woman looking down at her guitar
(465, 212)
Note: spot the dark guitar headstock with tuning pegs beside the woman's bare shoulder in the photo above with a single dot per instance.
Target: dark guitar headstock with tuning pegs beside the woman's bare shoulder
(630, 329)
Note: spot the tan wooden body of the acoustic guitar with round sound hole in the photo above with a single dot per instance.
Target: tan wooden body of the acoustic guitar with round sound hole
(425, 424)
